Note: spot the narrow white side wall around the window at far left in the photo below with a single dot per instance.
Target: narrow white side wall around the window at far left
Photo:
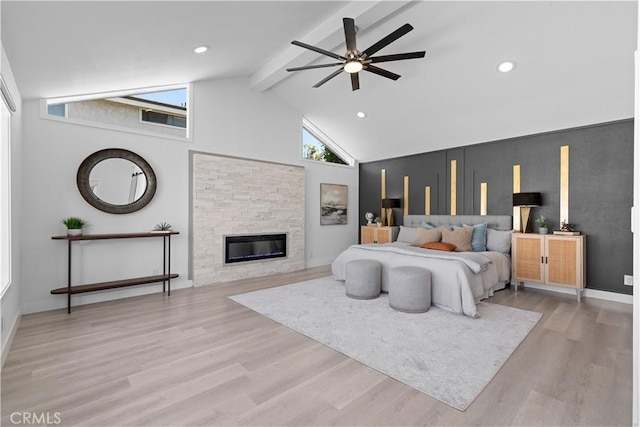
(10, 305)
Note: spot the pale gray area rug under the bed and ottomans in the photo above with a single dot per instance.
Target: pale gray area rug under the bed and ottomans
(448, 356)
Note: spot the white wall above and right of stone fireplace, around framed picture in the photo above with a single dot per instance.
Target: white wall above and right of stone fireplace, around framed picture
(231, 120)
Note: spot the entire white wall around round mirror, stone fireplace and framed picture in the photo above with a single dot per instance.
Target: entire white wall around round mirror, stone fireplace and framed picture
(228, 119)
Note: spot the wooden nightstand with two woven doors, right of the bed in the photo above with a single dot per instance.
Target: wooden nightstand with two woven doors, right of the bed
(549, 259)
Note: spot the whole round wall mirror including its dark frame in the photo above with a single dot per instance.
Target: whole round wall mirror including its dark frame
(116, 181)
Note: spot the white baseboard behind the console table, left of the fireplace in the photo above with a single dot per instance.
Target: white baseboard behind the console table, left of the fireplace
(60, 301)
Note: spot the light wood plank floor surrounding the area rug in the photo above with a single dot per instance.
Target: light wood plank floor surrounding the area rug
(198, 358)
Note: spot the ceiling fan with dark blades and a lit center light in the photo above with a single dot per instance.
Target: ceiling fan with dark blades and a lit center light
(354, 61)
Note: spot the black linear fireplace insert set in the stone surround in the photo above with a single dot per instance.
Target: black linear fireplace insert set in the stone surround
(254, 247)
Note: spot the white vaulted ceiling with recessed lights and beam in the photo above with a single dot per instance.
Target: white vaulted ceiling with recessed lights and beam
(574, 61)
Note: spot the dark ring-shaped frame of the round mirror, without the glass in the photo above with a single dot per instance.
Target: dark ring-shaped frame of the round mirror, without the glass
(82, 179)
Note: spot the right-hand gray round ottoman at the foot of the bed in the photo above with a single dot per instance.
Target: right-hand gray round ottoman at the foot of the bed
(410, 289)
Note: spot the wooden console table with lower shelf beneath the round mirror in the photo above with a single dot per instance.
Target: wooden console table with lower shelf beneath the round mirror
(165, 277)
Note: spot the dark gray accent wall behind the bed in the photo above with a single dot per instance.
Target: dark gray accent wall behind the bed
(600, 187)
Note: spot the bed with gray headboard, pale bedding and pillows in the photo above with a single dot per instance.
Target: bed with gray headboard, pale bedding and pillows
(459, 280)
